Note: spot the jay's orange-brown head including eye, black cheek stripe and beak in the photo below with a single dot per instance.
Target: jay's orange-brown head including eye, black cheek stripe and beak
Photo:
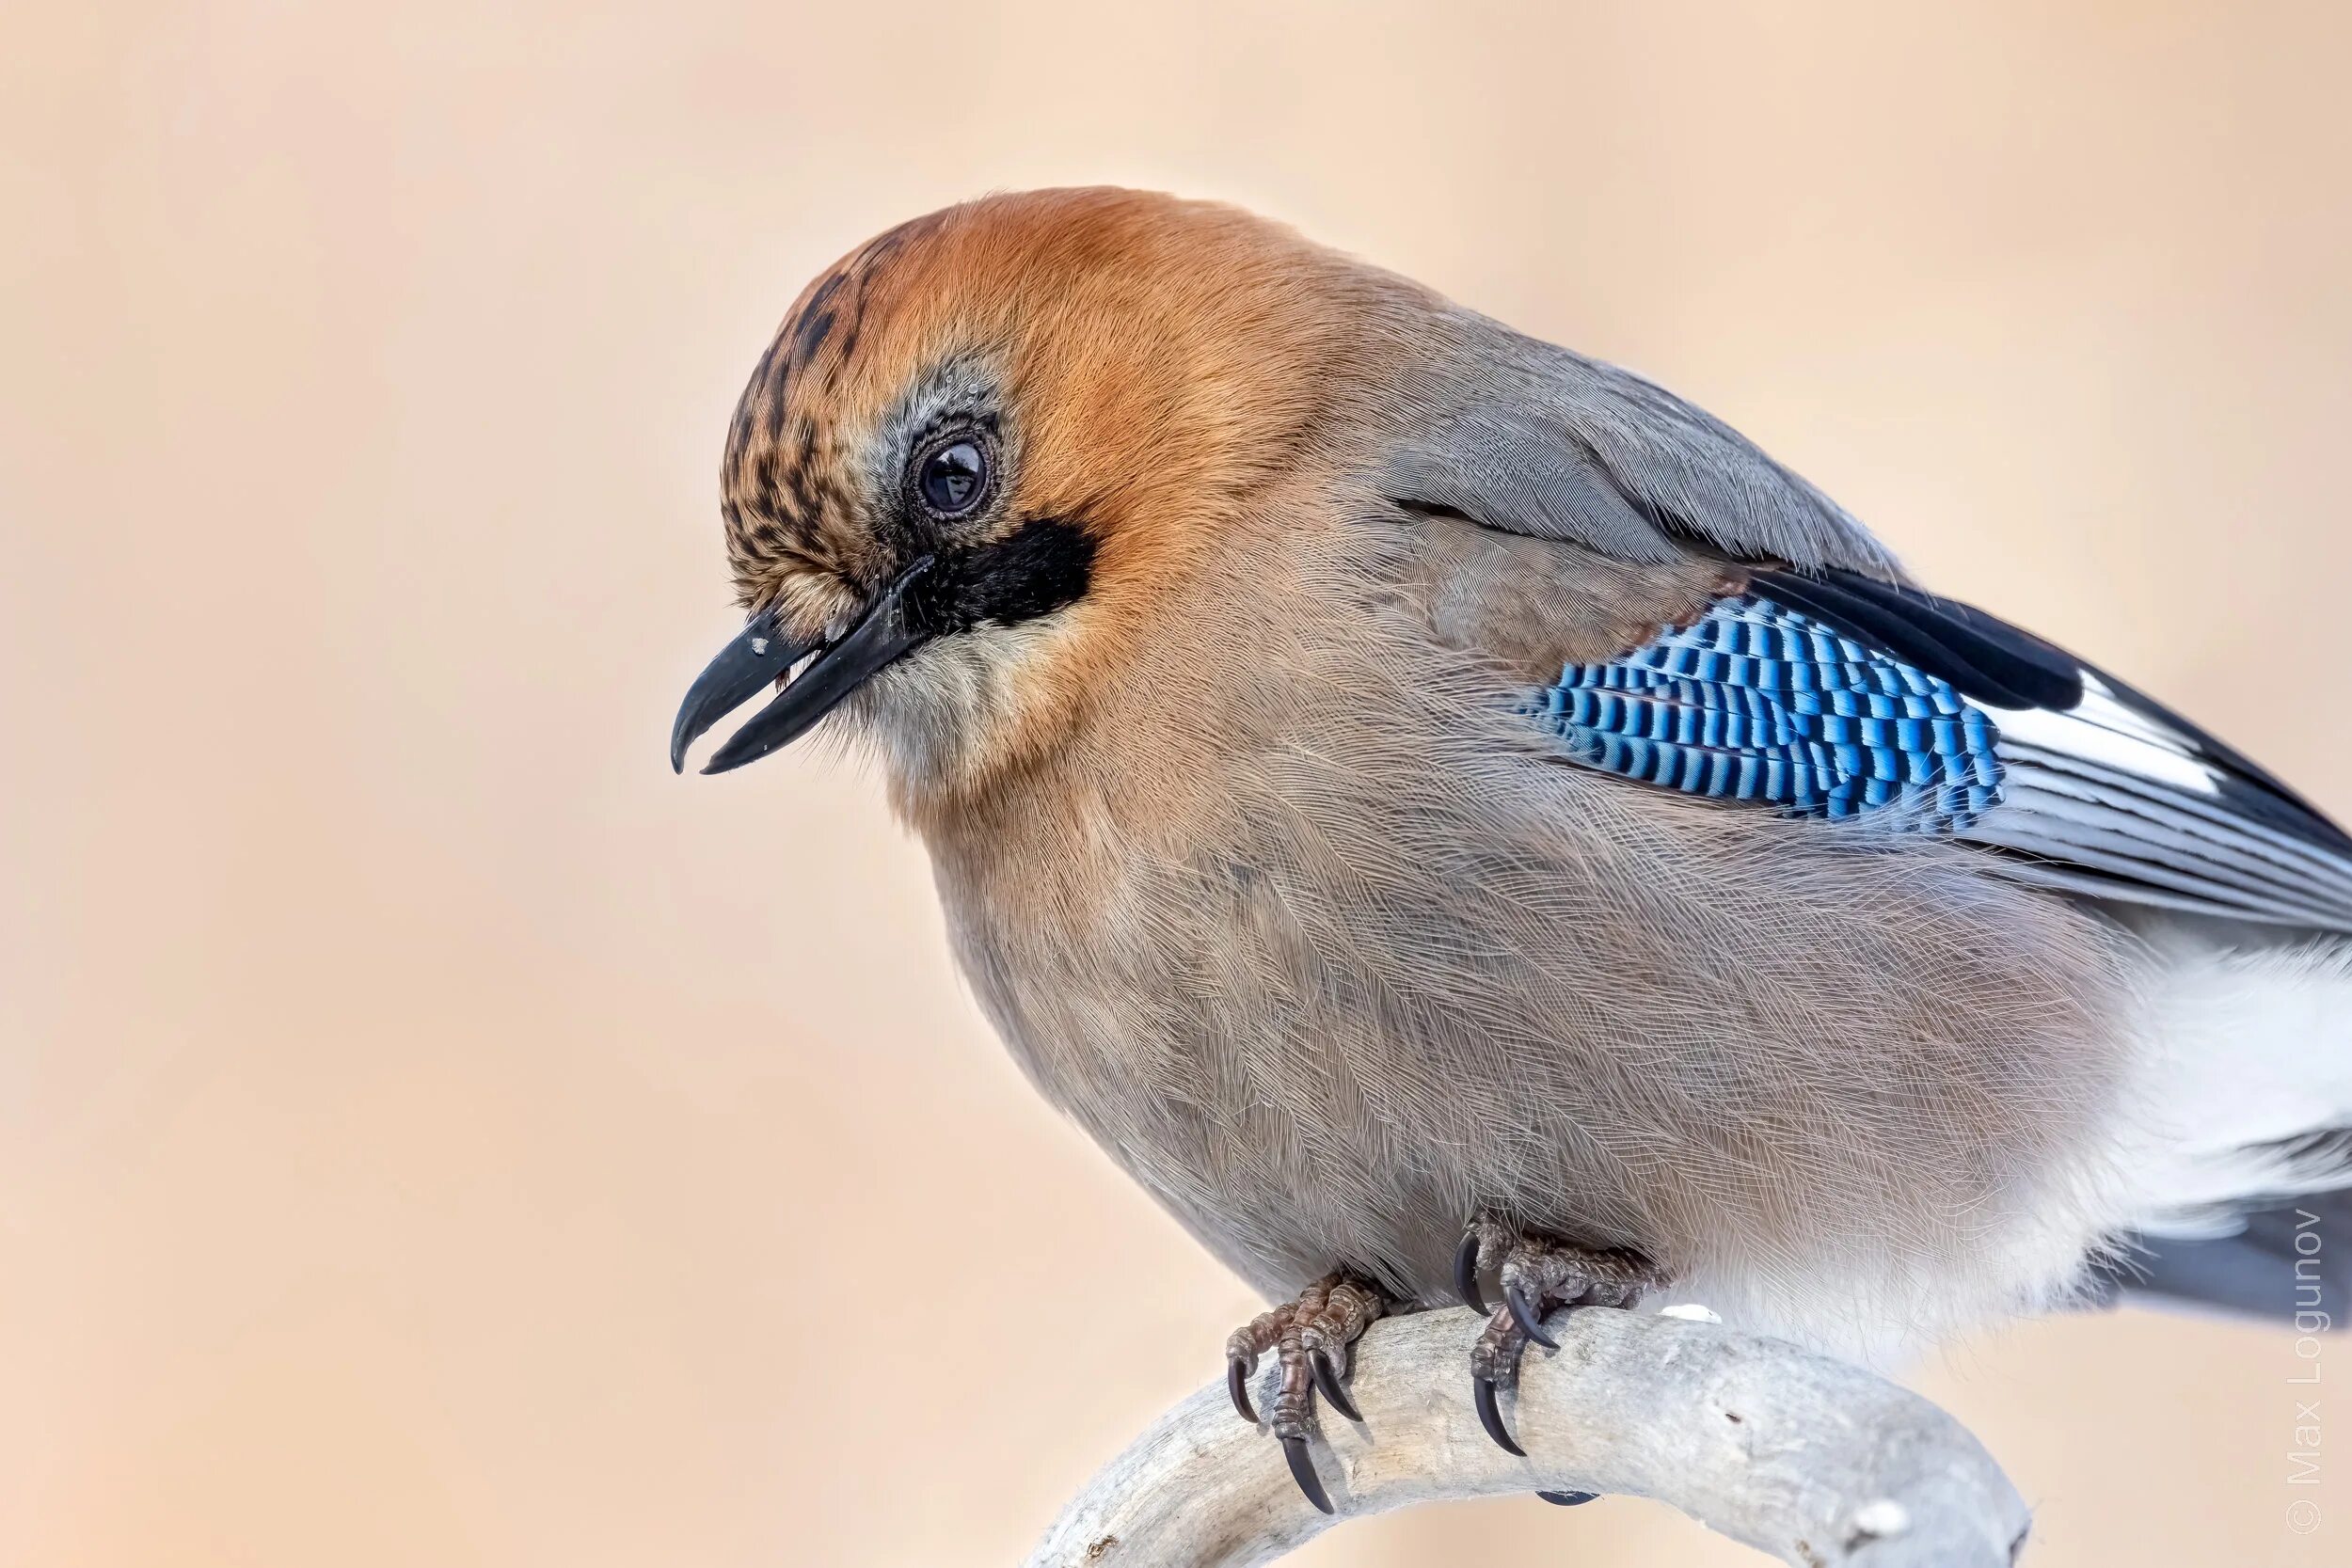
(977, 450)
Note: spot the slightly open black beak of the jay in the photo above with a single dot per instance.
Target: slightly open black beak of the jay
(761, 657)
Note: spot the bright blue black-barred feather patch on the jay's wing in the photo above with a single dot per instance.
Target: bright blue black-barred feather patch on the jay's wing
(1763, 704)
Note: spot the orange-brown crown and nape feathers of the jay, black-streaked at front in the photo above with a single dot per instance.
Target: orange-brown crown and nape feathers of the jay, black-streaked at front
(1151, 356)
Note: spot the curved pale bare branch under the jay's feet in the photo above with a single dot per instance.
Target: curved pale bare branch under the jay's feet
(1812, 1461)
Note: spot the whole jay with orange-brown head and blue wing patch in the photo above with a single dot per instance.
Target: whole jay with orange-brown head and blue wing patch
(1443, 812)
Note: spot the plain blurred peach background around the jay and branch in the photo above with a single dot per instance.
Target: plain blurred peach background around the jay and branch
(436, 1137)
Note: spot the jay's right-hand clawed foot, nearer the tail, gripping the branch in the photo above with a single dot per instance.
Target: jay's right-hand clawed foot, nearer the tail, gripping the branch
(1537, 1275)
